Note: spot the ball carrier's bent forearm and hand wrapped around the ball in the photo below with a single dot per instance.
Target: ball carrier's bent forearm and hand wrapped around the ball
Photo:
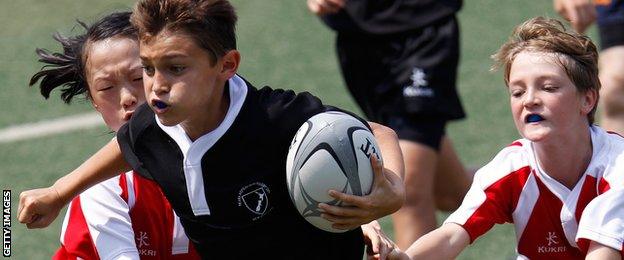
(387, 194)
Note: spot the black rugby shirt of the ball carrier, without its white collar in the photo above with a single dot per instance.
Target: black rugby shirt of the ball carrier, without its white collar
(244, 181)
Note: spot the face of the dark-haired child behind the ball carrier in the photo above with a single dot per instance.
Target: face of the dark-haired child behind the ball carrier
(114, 76)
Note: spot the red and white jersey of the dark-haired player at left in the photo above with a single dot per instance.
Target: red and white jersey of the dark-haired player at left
(126, 217)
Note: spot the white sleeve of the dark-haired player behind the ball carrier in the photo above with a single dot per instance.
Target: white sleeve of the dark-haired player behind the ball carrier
(108, 219)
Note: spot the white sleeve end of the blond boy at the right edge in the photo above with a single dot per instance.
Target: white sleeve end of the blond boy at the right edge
(603, 220)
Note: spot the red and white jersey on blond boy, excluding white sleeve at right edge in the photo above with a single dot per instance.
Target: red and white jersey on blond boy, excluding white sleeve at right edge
(513, 188)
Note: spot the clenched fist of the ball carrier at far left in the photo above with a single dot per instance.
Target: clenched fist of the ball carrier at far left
(39, 207)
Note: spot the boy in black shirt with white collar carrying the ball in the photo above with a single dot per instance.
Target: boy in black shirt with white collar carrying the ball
(210, 139)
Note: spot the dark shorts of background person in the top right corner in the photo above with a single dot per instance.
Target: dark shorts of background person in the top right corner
(611, 23)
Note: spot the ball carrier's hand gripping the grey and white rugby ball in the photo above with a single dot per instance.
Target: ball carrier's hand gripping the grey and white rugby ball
(387, 196)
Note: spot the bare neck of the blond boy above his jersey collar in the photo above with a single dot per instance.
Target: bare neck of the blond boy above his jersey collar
(566, 159)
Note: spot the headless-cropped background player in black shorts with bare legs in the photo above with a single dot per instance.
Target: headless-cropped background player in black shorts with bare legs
(399, 61)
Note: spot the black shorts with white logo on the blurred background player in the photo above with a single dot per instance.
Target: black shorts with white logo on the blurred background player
(410, 76)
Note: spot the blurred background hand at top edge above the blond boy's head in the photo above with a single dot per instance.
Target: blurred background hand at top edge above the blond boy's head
(580, 13)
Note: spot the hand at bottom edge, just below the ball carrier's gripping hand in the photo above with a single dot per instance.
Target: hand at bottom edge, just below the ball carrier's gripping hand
(378, 245)
